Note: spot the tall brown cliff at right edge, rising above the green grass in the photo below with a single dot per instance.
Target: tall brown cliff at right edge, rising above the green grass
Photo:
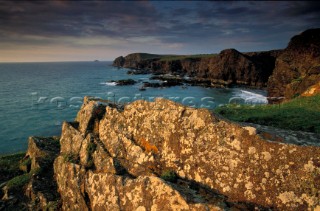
(297, 68)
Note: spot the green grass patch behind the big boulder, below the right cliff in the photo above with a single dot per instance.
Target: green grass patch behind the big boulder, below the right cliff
(301, 113)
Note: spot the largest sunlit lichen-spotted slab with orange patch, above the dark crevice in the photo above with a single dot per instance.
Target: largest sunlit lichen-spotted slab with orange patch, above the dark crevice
(217, 154)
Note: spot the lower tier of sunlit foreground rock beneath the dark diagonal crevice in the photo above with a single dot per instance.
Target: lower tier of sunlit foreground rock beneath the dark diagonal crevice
(81, 190)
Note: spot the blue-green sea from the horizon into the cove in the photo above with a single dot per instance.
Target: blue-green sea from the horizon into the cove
(35, 98)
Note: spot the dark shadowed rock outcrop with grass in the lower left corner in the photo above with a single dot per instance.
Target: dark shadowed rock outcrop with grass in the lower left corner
(36, 189)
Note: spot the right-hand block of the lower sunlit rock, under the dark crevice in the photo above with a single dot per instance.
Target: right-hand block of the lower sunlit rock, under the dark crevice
(142, 193)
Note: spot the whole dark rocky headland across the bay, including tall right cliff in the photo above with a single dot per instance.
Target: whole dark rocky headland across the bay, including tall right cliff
(285, 73)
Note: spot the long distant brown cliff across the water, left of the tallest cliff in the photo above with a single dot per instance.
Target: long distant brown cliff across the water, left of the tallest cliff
(230, 67)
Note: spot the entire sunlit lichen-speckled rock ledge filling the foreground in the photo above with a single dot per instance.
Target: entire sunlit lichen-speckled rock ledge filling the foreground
(164, 156)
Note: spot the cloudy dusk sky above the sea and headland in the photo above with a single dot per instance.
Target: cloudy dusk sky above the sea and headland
(62, 30)
